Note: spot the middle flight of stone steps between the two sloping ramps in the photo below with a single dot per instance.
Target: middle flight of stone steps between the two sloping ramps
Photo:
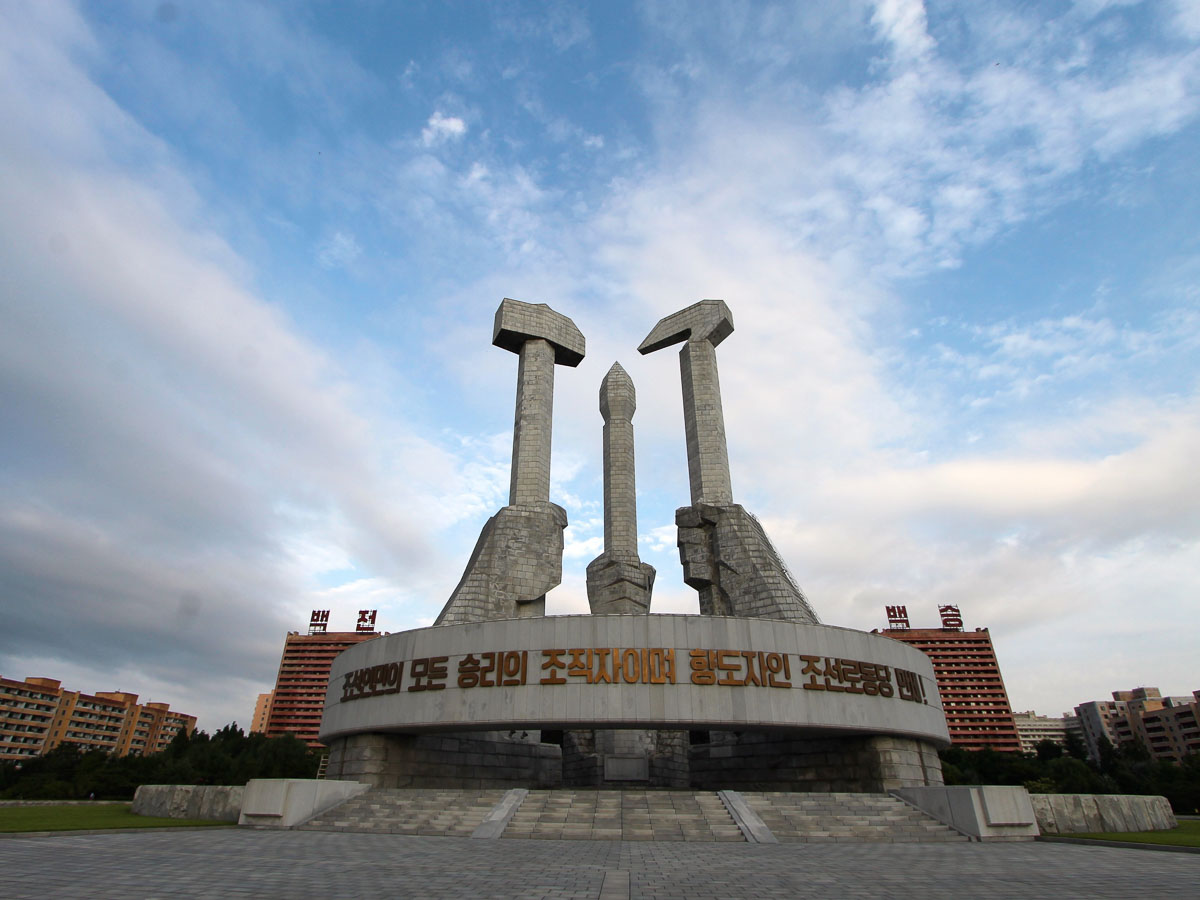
(623, 815)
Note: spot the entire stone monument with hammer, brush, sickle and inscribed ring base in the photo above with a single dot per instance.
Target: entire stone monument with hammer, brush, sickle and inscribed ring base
(754, 693)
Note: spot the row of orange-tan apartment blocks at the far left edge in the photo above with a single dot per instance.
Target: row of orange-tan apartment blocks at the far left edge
(38, 716)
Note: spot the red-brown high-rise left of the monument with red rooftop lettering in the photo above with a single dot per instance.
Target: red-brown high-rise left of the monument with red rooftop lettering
(299, 698)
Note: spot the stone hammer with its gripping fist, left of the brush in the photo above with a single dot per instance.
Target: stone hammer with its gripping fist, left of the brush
(519, 556)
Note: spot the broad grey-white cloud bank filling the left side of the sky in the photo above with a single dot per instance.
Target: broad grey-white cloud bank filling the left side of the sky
(176, 449)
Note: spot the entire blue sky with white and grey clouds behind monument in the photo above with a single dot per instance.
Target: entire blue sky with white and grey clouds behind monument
(250, 256)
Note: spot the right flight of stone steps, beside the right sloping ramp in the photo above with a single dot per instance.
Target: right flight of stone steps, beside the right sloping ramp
(845, 818)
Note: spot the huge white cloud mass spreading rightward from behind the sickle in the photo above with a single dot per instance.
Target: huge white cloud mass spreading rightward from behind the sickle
(800, 223)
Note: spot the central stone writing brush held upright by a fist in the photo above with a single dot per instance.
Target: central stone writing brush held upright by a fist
(619, 581)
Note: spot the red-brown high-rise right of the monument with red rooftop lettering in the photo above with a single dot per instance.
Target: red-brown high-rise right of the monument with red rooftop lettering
(974, 698)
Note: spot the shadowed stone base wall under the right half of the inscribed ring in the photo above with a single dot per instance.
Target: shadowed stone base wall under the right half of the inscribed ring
(759, 761)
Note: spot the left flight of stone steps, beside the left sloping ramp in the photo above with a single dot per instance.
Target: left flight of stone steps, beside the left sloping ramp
(410, 812)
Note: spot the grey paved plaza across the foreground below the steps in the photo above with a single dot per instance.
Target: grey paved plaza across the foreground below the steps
(232, 863)
